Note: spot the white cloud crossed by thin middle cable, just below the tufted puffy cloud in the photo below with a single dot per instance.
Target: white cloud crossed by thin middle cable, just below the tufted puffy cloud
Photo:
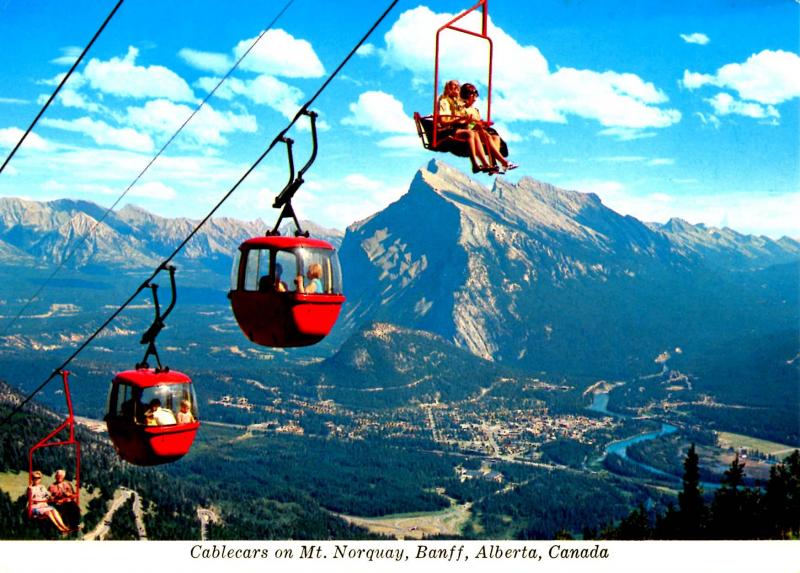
(163, 117)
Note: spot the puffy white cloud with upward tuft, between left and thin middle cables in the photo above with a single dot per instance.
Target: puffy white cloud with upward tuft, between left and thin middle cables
(123, 78)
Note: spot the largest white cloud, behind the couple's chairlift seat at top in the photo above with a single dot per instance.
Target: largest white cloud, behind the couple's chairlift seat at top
(524, 87)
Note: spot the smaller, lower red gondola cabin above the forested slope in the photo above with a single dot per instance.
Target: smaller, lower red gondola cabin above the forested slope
(141, 438)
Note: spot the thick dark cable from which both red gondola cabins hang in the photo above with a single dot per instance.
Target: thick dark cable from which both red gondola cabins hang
(165, 263)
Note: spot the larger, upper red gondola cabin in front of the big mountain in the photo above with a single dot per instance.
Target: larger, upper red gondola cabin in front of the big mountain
(271, 304)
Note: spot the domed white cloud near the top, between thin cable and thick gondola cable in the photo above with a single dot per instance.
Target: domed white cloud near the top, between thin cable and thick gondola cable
(280, 54)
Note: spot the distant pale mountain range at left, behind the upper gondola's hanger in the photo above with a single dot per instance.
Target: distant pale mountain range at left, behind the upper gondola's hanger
(46, 234)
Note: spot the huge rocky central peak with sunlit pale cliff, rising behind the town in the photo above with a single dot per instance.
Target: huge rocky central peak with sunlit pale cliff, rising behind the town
(539, 275)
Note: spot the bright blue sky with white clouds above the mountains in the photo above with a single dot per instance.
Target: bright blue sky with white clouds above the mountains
(664, 109)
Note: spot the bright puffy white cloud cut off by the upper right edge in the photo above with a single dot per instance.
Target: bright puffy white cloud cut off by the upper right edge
(769, 77)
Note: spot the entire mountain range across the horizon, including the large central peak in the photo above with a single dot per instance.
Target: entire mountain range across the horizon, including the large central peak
(527, 275)
